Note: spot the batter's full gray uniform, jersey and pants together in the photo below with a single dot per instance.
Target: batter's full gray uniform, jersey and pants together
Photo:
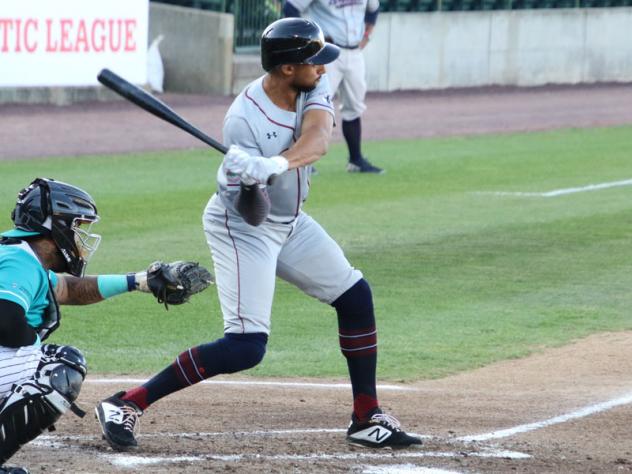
(289, 244)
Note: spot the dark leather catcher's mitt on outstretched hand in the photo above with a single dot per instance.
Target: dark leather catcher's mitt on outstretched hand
(173, 283)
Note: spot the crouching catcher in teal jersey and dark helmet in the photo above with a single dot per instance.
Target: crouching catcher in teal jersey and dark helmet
(42, 261)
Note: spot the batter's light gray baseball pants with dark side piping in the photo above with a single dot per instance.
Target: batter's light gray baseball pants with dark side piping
(247, 260)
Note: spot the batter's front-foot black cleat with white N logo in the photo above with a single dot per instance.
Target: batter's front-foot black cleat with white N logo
(380, 431)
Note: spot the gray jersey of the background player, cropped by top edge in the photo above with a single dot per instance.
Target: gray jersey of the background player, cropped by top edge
(341, 20)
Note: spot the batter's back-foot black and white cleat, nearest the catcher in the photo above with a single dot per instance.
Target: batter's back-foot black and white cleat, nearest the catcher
(119, 421)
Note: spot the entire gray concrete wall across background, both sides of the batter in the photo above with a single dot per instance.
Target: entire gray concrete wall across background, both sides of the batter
(411, 51)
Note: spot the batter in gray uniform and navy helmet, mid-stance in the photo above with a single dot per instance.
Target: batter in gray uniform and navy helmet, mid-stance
(278, 126)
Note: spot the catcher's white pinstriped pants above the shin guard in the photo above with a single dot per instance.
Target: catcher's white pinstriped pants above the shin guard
(17, 366)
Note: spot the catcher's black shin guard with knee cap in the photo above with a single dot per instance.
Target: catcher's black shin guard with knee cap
(35, 405)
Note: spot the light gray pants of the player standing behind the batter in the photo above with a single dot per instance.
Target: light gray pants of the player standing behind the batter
(347, 77)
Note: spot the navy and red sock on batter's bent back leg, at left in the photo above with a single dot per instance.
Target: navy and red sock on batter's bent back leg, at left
(232, 353)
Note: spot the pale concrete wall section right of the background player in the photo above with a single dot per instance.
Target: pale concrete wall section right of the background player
(524, 48)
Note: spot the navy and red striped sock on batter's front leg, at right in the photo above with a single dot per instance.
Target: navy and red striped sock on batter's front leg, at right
(358, 343)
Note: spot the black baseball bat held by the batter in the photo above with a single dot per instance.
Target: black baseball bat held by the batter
(155, 106)
